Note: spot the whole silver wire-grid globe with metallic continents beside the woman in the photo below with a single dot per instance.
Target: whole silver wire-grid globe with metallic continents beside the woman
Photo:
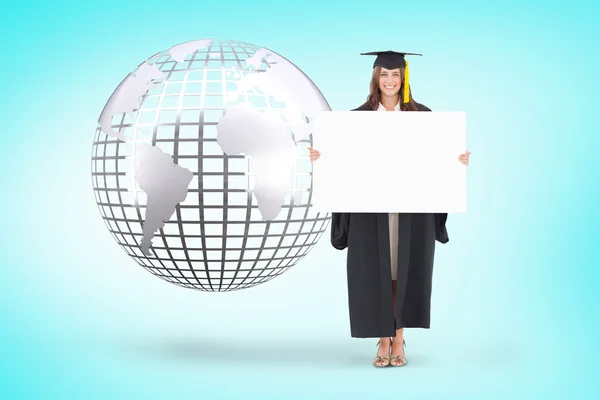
(200, 167)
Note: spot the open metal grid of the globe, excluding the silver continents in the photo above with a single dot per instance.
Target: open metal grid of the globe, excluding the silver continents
(216, 239)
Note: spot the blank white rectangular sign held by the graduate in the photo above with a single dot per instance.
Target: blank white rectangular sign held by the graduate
(389, 162)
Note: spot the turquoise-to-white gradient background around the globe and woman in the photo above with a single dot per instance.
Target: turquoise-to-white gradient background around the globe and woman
(515, 309)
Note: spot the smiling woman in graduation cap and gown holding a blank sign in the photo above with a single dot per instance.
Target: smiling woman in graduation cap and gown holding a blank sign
(390, 256)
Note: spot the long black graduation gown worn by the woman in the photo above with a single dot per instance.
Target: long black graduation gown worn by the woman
(366, 235)
